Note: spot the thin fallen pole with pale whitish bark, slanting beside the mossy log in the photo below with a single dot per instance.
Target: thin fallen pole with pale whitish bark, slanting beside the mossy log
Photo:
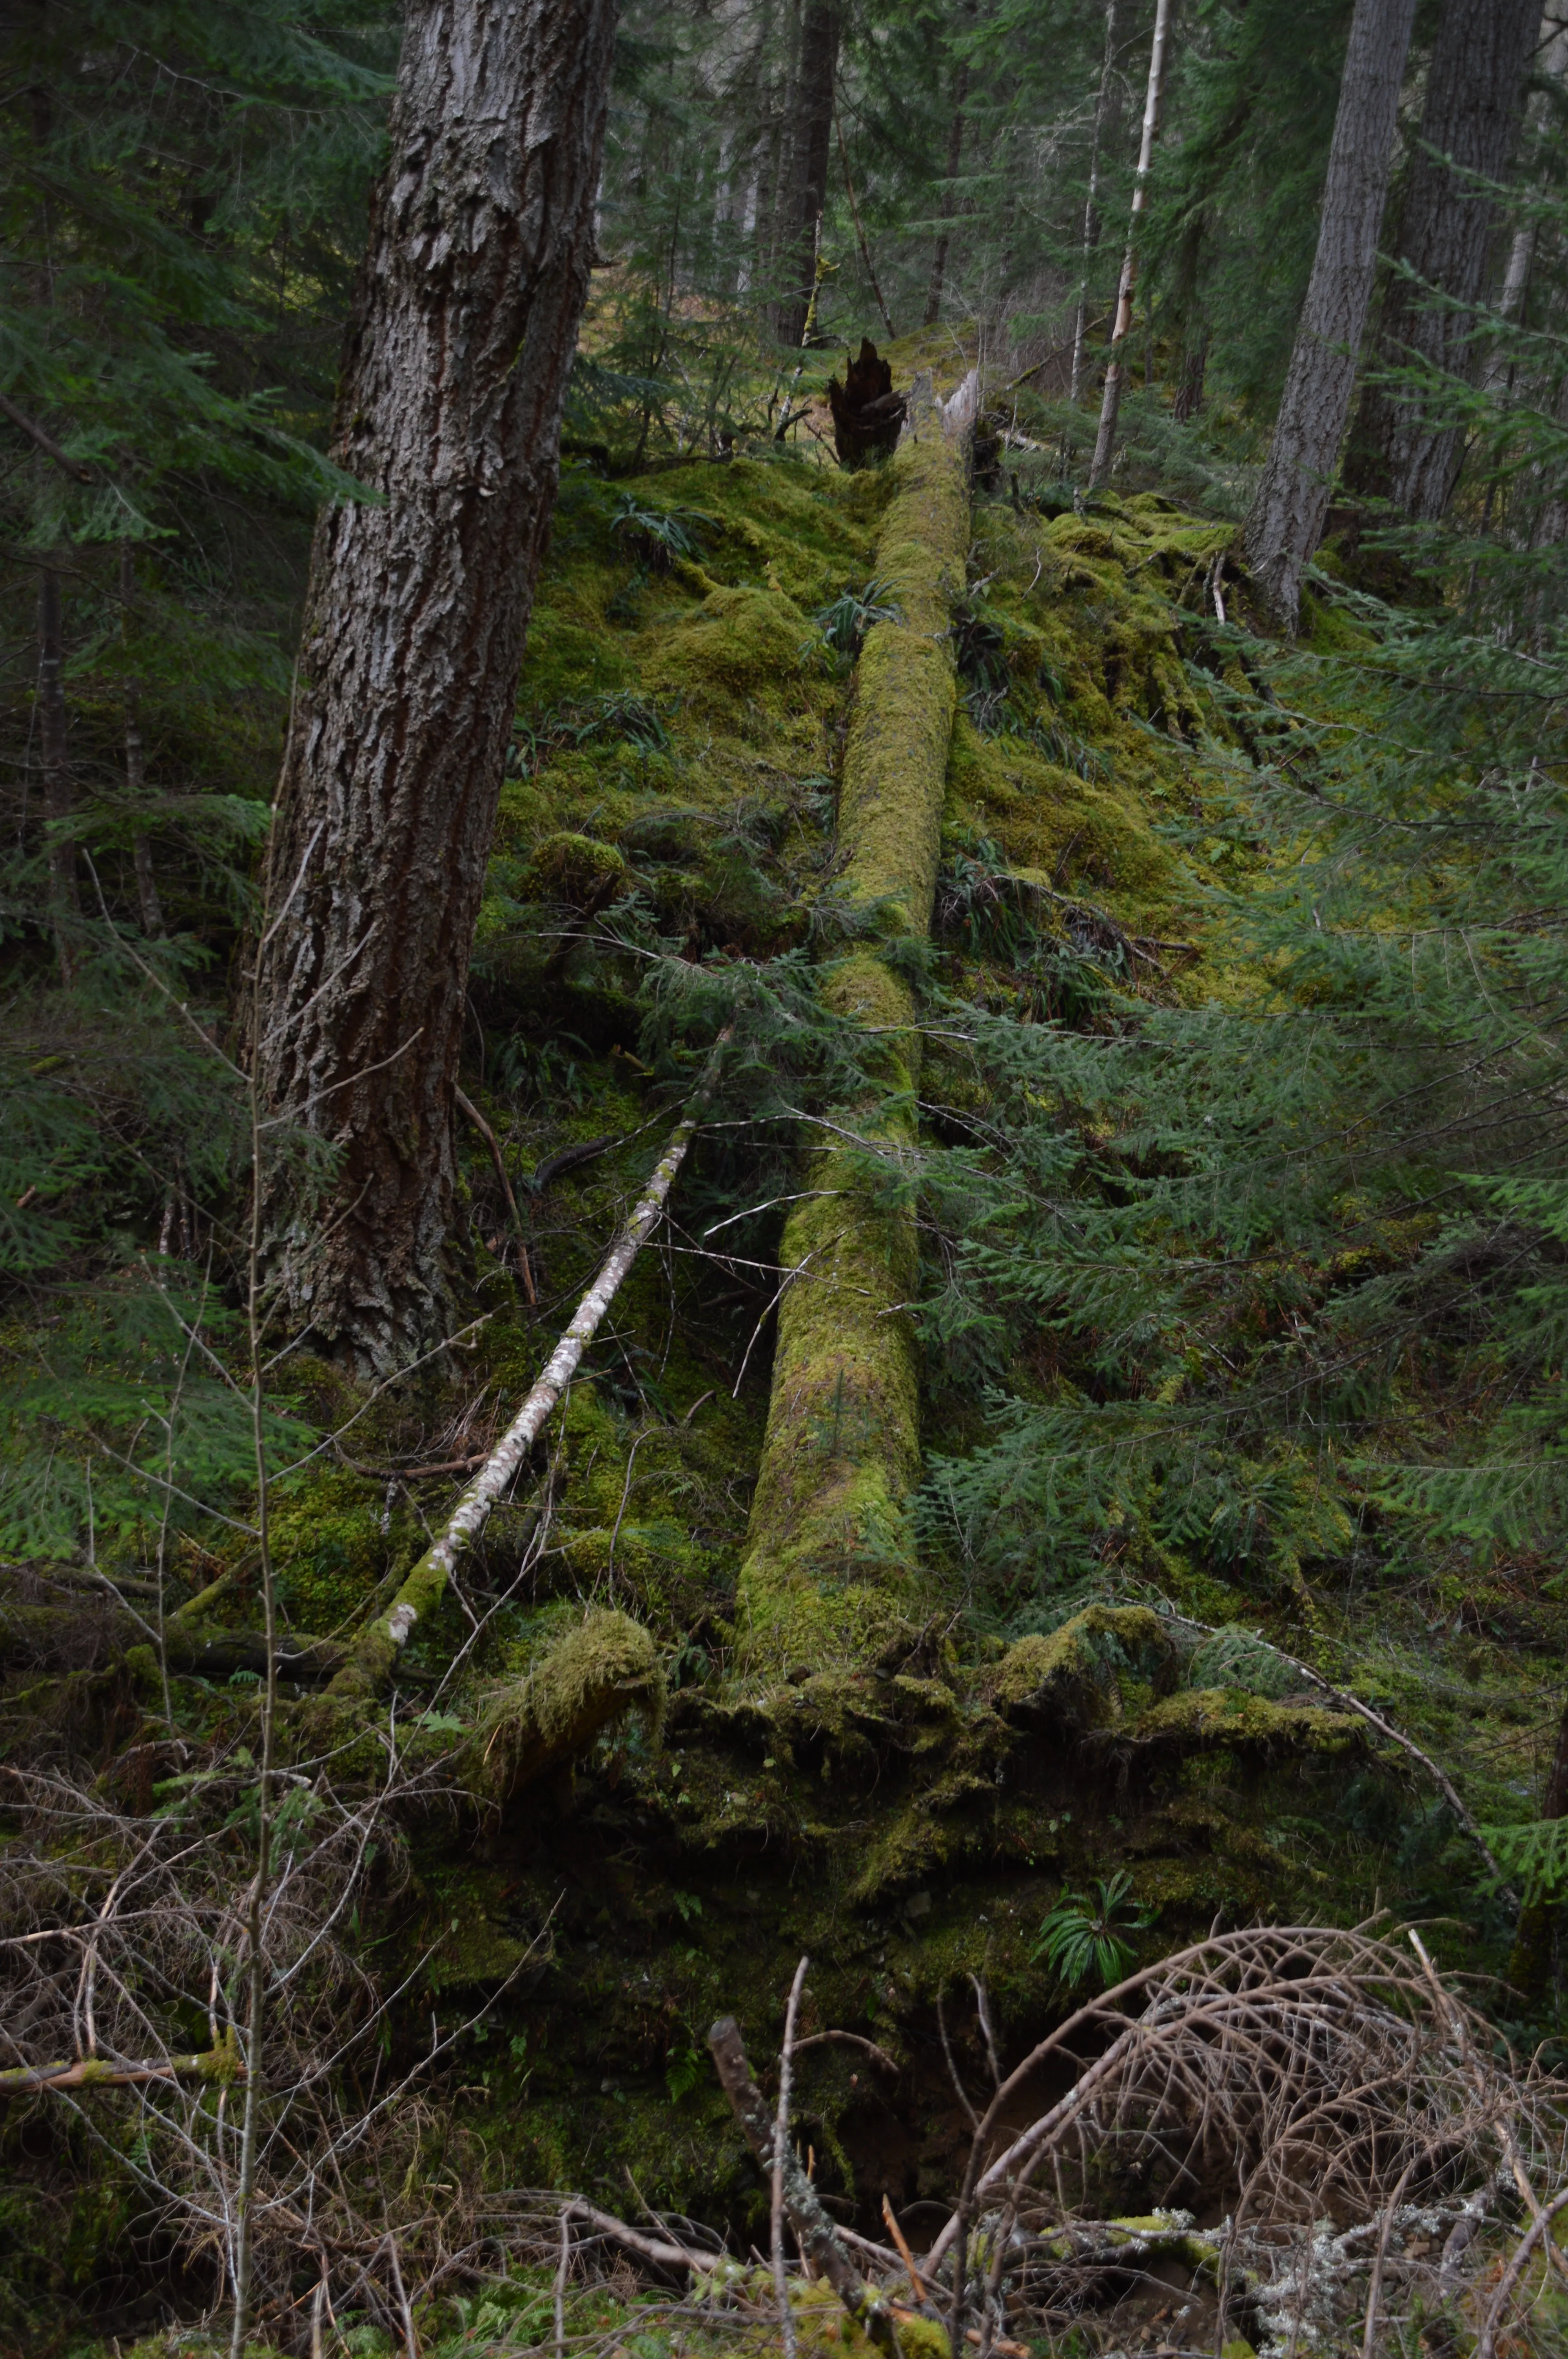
(378, 1650)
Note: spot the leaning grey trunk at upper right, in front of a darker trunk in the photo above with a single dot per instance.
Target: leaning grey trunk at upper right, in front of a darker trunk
(1291, 501)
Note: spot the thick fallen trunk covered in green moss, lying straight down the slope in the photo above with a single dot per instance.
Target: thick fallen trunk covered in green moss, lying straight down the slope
(829, 1544)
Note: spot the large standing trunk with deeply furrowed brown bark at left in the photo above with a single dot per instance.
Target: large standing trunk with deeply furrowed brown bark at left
(449, 412)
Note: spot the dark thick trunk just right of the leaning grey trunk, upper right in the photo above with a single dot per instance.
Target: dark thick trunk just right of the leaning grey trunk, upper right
(1444, 237)
